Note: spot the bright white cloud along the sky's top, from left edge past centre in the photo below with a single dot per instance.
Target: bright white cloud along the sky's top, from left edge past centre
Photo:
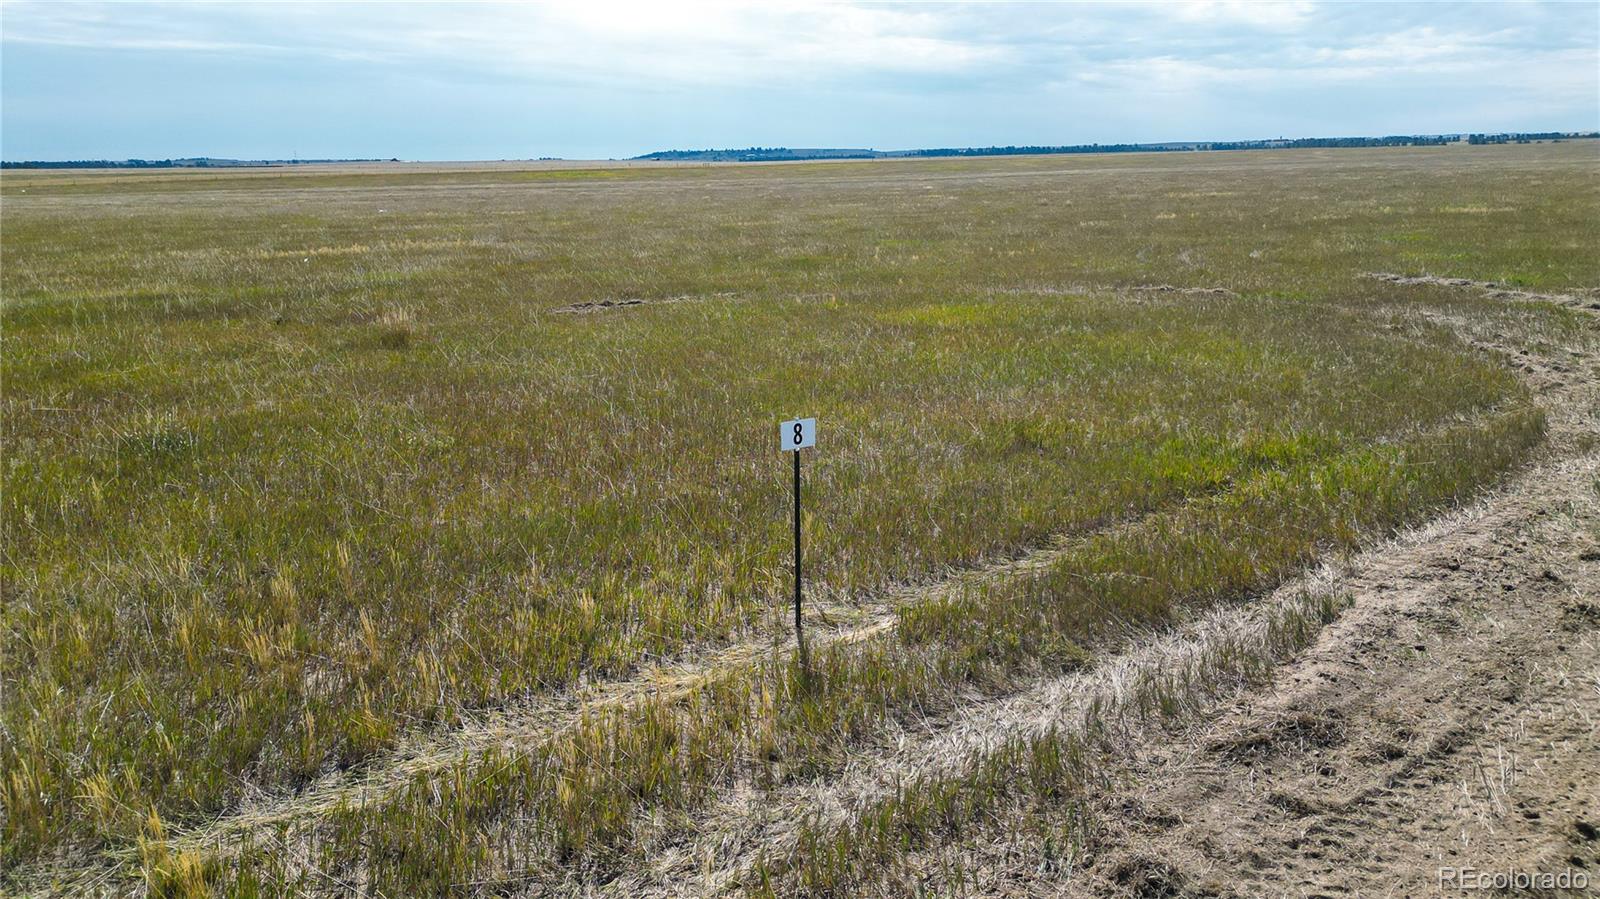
(698, 42)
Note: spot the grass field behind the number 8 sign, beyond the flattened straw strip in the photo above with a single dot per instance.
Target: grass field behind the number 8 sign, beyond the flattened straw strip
(300, 463)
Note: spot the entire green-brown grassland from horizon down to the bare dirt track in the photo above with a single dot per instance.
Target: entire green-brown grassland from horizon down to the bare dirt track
(310, 476)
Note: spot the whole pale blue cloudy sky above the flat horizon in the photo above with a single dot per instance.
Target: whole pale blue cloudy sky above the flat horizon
(599, 79)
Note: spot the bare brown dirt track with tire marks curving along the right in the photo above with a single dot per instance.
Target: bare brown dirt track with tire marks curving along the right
(1447, 721)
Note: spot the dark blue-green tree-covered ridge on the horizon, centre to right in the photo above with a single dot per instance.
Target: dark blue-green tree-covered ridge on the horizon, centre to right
(798, 154)
